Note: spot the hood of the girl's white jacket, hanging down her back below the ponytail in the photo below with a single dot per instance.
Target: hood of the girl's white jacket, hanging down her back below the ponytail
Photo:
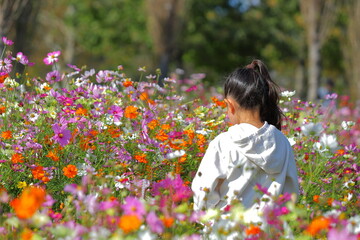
(264, 146)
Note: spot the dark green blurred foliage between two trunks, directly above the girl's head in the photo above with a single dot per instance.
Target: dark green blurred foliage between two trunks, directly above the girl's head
(222, 35)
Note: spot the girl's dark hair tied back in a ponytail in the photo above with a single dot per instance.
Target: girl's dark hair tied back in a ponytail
(252, 87)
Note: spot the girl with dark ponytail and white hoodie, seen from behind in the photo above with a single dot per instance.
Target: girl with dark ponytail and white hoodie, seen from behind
(253, 151)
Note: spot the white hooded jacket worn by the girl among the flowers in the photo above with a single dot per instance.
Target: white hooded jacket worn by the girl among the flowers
(239, 159)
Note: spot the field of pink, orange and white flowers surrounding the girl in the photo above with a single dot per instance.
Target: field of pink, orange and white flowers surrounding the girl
(98, 154)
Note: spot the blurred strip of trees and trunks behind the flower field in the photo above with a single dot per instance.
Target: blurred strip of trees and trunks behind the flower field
(311, 46)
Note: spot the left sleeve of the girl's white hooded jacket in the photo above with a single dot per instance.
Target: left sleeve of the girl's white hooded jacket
(211, 169)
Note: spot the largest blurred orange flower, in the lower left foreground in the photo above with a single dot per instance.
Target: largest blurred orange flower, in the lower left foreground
(29, 202)
